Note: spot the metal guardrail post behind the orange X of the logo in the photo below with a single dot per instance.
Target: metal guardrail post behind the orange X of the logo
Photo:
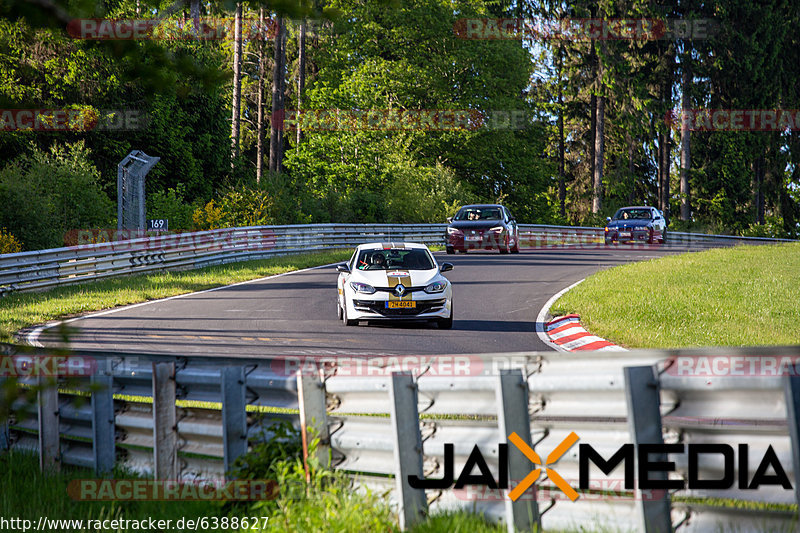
(512, 400)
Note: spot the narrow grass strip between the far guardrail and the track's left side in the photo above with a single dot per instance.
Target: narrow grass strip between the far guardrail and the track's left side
(21, 310)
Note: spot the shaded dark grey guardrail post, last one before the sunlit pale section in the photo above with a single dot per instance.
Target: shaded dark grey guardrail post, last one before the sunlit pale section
(234, 415)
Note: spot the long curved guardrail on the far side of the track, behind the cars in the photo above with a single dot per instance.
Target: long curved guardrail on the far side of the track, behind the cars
(87, 262)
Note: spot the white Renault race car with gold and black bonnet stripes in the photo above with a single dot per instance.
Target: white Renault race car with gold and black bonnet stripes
(391, 281)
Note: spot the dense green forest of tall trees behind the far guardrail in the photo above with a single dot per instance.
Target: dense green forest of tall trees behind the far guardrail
(314, 111)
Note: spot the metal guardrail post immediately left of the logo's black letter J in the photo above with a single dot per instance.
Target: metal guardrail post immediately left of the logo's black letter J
(407, 449)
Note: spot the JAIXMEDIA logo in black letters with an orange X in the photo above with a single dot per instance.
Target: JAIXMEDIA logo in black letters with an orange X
(639, 468)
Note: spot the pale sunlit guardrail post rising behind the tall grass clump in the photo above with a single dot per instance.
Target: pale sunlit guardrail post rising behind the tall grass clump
(314, 416)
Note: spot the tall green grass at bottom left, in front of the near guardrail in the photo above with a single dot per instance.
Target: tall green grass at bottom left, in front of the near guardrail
(330, 506)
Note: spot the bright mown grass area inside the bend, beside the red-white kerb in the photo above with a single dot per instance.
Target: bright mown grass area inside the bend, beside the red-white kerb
(741, 296)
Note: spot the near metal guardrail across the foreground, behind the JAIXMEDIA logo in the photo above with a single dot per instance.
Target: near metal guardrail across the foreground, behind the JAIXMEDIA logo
(385, 418)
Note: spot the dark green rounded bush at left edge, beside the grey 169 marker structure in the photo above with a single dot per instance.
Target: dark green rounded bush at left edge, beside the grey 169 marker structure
(46, 193)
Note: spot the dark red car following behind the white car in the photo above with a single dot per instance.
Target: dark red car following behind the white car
(483, 227)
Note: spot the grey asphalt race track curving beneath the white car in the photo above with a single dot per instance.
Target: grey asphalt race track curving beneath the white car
(496, 301)
